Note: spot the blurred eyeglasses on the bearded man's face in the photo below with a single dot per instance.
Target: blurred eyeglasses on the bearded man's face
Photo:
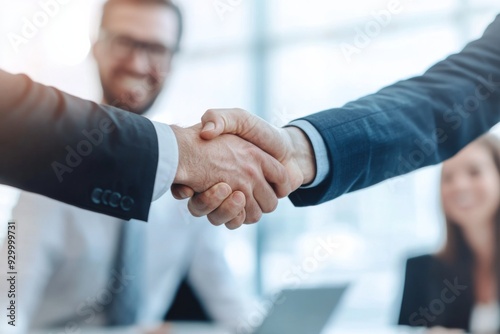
(123, 47)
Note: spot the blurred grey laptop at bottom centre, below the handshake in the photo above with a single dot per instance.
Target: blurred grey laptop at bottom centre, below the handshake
(302, 311)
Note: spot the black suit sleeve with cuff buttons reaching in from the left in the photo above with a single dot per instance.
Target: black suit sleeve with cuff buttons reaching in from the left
(95, 157)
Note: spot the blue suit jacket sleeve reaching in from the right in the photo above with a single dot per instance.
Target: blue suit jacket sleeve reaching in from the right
(411, 124)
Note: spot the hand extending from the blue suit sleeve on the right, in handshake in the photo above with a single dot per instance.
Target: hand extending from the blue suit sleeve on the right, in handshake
(289, 145)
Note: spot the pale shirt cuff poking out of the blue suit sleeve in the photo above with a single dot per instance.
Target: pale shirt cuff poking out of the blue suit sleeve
(320, 151)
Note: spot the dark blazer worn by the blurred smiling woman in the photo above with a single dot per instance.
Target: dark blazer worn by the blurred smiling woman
(436, 294)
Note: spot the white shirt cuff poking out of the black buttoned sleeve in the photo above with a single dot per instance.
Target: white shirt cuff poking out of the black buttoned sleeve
(168, 159)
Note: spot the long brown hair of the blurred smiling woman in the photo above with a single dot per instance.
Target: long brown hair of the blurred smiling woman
(456, 249)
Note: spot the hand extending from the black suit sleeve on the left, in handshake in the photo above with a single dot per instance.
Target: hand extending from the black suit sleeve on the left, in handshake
(256, 178)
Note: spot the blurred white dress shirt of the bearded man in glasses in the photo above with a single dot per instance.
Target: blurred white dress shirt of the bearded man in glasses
(66, 254)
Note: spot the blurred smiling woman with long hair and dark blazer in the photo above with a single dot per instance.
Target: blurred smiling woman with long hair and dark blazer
(459, 286)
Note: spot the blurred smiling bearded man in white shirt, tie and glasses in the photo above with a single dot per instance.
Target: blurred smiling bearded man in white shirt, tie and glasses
(72, 257)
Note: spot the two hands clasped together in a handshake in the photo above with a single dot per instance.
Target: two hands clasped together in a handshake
(234, 166)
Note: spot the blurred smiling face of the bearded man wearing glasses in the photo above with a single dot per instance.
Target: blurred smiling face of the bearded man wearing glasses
(134, 54)
